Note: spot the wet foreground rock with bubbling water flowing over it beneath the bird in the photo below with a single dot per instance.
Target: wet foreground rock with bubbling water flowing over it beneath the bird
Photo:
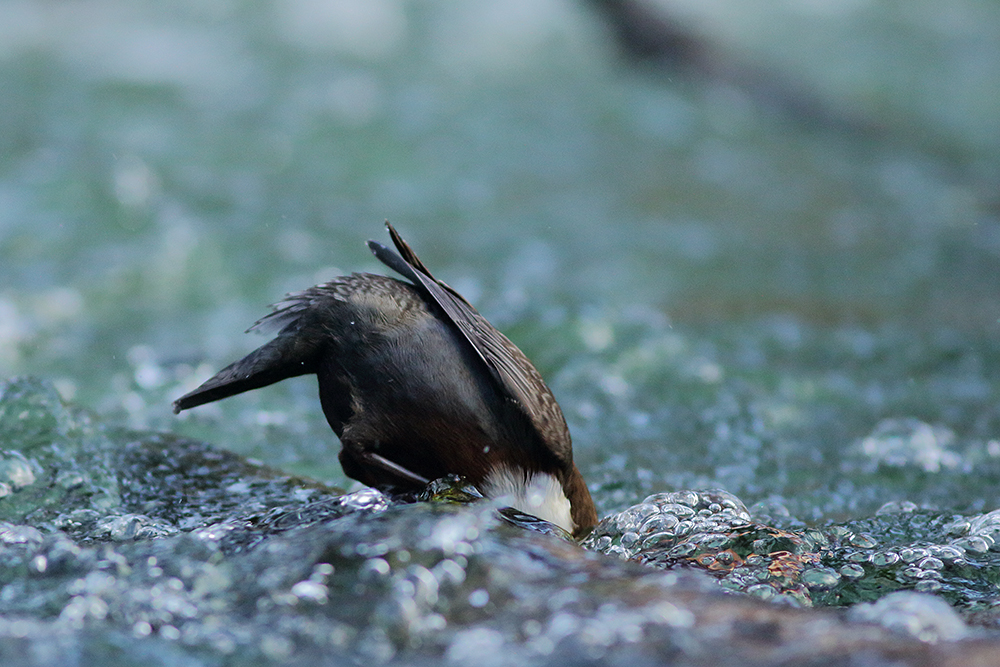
(124, 548)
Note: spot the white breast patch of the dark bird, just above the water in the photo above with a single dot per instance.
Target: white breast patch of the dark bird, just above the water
(540, 495)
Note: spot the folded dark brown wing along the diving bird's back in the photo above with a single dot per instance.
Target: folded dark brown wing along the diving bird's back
(512, 369)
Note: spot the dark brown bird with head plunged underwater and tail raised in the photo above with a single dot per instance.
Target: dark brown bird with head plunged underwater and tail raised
(417, 385)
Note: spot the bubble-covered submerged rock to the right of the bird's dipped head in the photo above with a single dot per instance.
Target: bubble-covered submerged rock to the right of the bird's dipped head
(902, 548)
